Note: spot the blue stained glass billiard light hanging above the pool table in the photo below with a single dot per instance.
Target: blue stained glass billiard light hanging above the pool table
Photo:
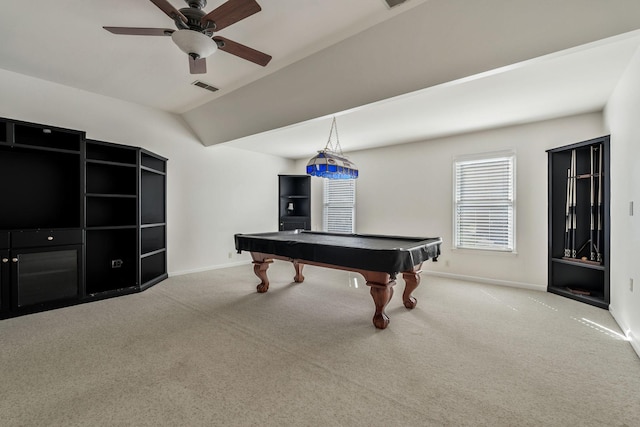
(330, 162)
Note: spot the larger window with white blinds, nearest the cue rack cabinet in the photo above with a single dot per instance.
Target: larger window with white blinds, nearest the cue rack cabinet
(484, 202)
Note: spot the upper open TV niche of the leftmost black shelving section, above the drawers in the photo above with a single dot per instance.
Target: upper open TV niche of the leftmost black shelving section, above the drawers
(40, 168)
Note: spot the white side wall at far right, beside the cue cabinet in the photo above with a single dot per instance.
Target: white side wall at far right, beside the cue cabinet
(621, 115)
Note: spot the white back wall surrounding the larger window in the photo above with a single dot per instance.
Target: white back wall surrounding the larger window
(408, 190)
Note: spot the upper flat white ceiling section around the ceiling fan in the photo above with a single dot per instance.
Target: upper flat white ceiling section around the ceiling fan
(63, 41)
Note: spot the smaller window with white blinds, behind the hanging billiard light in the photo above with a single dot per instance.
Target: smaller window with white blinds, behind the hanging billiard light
(339, 205)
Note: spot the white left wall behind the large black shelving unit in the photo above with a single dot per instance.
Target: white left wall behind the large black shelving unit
(212, 192)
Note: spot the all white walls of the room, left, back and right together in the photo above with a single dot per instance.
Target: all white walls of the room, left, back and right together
(218, 191)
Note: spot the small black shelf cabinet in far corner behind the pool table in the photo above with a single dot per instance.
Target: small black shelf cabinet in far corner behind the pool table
(294, 202)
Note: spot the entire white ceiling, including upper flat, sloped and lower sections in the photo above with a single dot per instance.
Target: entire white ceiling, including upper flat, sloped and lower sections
(480, 65)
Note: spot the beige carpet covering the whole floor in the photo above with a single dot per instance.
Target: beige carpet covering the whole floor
(206, 349)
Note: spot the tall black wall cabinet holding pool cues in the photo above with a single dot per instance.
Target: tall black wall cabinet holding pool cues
(579, 219)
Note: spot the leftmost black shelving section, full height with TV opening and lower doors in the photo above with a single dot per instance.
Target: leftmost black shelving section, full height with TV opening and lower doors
(42, 239)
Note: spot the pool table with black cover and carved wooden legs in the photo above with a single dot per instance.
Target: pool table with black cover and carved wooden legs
(378, 258)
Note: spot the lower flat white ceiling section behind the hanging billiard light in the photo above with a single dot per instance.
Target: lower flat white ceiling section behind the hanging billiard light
(555, 85)
